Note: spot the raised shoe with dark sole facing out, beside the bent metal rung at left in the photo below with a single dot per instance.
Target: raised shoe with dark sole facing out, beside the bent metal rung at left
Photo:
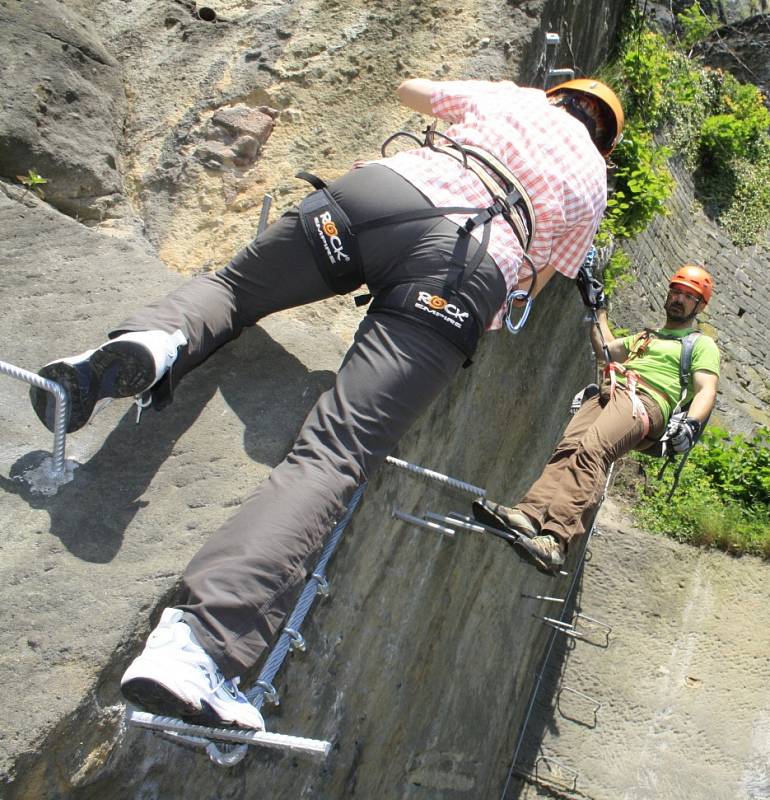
(123, 367)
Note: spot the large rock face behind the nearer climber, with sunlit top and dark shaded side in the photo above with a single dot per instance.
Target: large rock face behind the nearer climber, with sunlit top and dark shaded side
(422, 661)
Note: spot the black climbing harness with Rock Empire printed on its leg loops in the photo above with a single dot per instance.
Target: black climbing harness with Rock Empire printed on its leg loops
(436, 304)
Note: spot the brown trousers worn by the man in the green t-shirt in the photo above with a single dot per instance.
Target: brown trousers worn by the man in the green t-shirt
(565, 496)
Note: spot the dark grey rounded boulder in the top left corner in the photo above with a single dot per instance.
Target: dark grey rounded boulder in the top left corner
(63, 108)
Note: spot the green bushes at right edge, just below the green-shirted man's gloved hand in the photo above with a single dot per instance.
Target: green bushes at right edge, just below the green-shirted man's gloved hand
(723, 497)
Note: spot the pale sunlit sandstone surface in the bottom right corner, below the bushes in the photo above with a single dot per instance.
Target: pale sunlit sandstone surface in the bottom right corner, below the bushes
(673, 677)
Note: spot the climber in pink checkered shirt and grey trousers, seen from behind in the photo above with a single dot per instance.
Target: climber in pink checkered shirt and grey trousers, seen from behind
(438, 233)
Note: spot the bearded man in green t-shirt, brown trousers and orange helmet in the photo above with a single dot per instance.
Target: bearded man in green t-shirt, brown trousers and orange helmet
(641, 390)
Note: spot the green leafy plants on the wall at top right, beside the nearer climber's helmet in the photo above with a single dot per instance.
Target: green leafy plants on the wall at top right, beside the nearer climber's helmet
(718, 125)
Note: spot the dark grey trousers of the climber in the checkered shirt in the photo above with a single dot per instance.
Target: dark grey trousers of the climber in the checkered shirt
(239, 587)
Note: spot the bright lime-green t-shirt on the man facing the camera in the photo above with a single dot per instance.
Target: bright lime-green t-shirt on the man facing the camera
(658, 365)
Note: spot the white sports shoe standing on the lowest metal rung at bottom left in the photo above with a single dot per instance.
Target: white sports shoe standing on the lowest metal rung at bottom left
(175, 677)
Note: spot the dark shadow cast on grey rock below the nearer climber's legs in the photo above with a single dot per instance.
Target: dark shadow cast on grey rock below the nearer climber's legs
(269, 389)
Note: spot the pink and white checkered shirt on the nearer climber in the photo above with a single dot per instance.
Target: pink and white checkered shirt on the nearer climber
(549, 151)
